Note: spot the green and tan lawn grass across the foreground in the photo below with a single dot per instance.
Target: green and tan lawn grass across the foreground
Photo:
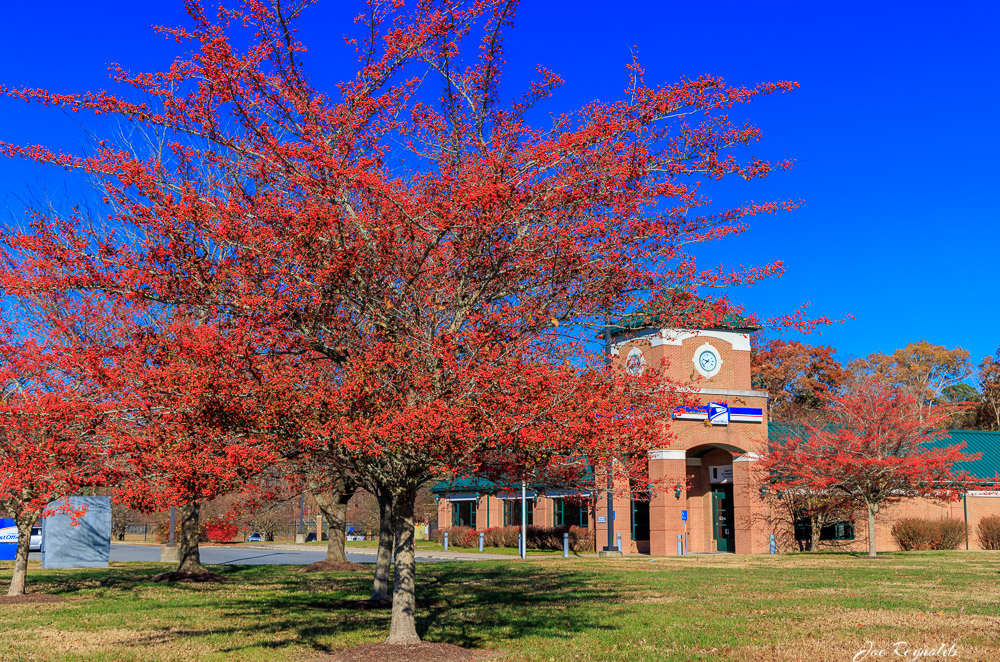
(795, 607)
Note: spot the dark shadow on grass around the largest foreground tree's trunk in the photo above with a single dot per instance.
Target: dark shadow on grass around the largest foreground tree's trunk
(461, 604)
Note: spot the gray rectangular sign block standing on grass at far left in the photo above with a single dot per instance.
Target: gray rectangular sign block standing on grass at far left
(85, 545)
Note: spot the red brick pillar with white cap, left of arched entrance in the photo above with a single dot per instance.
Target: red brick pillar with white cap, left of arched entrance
(667, 470)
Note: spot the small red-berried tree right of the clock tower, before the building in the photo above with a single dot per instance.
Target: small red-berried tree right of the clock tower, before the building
(881, 449)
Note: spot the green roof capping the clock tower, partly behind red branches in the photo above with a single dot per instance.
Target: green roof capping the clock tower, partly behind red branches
(680, 310)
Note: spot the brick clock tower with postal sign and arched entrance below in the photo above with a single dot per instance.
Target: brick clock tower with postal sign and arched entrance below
(704, 486)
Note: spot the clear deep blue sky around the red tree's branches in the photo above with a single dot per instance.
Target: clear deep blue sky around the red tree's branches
(894, 130)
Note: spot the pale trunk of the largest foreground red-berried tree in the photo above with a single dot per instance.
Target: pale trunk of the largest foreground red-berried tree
(403, 626)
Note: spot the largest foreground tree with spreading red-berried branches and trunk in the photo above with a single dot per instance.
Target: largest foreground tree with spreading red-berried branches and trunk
(447, 298)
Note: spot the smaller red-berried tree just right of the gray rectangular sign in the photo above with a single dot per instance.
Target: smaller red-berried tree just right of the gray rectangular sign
(187, 430)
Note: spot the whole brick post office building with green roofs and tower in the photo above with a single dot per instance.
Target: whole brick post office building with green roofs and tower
(719, 506)
